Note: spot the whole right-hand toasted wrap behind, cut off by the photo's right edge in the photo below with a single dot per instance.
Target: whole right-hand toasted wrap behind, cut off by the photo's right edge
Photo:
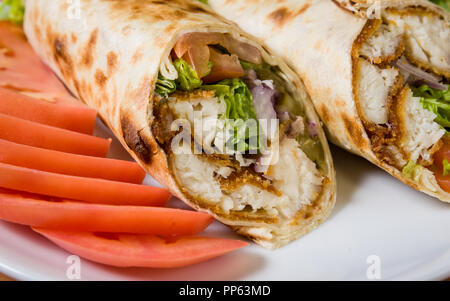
(377, 73)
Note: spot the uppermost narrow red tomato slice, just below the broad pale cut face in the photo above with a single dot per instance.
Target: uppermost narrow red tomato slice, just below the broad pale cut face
(75, 118)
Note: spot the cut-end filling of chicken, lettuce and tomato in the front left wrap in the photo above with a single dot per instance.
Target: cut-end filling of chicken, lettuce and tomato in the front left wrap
(237, 135)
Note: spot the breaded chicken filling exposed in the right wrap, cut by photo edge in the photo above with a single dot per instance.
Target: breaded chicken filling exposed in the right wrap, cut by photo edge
(401, 84)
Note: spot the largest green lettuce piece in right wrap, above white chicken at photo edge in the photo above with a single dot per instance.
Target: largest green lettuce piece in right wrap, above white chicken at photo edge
(436, 101)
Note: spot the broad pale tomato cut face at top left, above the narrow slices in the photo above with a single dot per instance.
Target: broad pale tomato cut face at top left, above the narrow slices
(22, 70)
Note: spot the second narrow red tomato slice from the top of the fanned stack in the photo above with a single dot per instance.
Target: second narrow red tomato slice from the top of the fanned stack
(39, 135)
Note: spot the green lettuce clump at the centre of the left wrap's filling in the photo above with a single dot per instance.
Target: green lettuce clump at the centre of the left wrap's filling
(240, 114)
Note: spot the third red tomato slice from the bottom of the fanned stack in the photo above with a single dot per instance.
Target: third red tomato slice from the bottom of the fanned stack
(90, 190)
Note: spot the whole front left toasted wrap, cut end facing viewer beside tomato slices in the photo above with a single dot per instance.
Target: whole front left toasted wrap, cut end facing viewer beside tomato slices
(223, 124)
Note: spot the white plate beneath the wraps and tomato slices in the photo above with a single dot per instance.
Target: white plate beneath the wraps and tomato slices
(379, 227)
